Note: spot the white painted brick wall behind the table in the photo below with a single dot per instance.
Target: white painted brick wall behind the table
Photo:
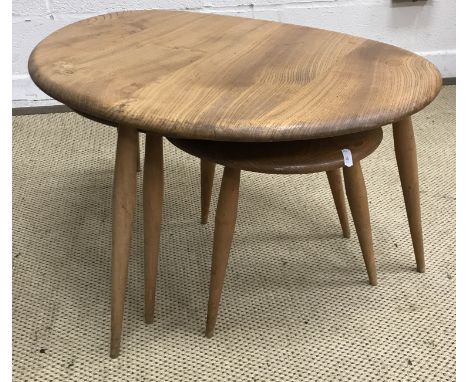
(425, 27)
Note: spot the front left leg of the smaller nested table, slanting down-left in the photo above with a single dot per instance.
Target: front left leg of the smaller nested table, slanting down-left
(225, 222)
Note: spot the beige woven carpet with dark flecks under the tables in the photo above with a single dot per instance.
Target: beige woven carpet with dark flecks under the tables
(296, 303)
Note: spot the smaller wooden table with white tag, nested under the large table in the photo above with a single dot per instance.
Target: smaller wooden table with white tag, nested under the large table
(293, 157)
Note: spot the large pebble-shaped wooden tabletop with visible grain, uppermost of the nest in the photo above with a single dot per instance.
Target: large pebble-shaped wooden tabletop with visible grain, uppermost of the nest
(204, 76)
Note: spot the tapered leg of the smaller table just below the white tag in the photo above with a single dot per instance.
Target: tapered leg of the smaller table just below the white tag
(357, 197)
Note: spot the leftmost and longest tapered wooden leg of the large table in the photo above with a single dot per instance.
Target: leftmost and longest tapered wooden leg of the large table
(123, 206)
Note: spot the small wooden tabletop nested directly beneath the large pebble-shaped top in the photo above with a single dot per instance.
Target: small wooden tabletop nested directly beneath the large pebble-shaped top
(292, 157)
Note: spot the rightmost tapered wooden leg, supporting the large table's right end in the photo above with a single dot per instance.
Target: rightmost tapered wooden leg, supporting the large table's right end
(405, 151)
